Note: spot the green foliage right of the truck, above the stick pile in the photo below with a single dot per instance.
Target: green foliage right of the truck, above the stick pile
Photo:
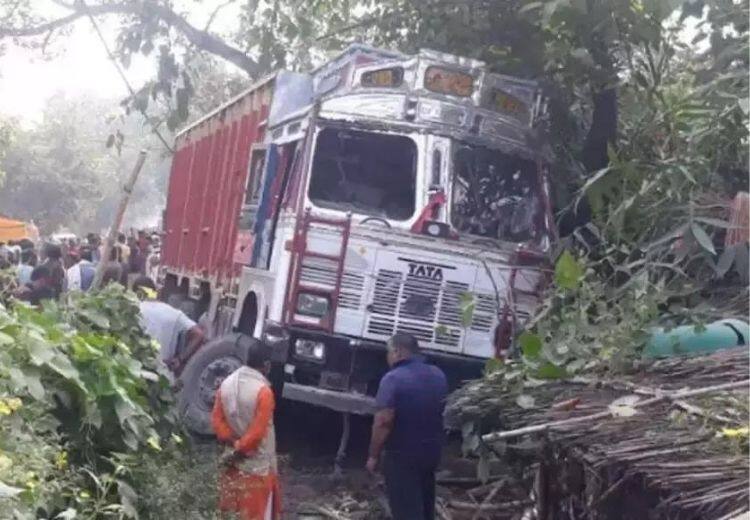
(653, 253)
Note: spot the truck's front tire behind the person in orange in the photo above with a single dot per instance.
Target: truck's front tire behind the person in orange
(203, 375)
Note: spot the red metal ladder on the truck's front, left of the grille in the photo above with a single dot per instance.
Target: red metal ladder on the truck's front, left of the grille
(301, 252)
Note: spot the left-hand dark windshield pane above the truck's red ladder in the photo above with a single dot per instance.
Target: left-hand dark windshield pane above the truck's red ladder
(365, 172)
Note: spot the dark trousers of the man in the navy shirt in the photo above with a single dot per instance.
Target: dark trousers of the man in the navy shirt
(410, 485)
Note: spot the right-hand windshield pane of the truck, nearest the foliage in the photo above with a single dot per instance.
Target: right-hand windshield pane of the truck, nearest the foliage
(495, 195)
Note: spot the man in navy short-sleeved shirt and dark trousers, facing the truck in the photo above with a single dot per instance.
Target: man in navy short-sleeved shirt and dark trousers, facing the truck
(409, 424)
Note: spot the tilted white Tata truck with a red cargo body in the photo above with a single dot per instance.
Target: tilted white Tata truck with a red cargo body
(323, 212)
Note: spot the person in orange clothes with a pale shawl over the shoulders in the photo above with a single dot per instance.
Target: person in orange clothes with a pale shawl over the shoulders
(242, 419)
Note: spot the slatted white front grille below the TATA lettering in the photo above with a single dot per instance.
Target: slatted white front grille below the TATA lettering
(426, 308)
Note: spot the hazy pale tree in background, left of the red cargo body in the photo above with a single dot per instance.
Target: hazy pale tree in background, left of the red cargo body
(60, 174)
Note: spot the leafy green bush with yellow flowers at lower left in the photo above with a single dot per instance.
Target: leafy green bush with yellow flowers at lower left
(79, 387)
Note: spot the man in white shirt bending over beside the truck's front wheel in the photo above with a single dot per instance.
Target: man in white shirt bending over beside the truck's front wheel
(167, 325)
